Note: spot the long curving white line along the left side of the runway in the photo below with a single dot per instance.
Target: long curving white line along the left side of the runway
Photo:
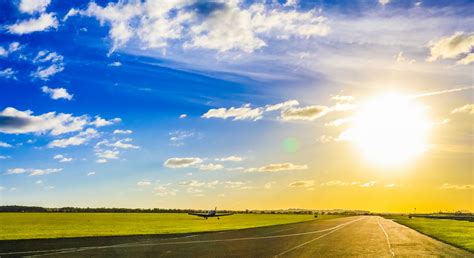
(141, 244)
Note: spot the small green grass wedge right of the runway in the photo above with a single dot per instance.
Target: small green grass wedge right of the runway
(455, 232)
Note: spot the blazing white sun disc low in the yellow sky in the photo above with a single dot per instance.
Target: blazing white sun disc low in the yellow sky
(390, 129)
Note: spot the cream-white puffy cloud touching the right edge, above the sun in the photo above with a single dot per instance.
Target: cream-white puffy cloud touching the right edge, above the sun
(451, 47)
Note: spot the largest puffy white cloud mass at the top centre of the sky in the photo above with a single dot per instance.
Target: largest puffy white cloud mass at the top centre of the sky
(245, 29)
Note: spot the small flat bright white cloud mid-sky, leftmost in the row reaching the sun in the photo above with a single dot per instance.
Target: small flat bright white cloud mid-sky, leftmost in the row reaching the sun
(241, 113)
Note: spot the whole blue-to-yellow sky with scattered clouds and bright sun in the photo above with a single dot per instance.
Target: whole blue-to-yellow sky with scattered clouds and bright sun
(237, 104)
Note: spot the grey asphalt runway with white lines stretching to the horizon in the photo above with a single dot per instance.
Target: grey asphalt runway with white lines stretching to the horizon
(366, 236)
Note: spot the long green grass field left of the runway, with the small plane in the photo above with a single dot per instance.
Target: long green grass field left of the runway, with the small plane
(59, 225)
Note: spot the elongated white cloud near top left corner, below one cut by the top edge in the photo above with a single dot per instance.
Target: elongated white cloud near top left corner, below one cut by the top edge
(42, 23)
